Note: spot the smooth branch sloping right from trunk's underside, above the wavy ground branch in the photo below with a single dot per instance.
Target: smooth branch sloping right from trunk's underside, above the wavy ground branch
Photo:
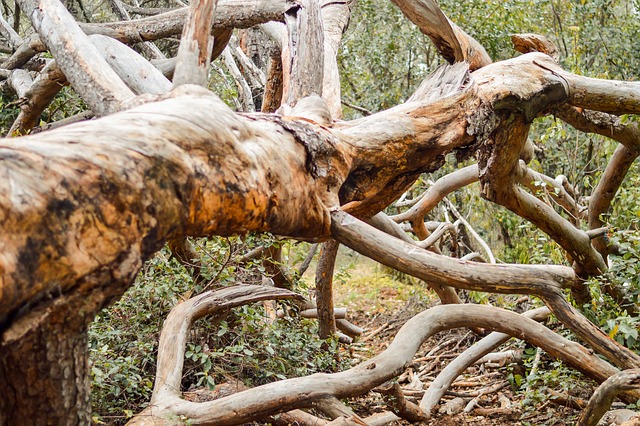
(544, 281)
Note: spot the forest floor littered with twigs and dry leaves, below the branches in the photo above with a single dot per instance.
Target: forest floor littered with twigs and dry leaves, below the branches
(485, 394)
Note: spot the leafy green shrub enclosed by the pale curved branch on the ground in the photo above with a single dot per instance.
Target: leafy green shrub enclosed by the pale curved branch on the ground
(246, 345)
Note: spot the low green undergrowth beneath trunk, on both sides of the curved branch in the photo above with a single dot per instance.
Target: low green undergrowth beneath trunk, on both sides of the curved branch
(123, 339)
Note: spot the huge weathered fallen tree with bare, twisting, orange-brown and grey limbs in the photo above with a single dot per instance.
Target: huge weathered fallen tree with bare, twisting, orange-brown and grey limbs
(84, 205)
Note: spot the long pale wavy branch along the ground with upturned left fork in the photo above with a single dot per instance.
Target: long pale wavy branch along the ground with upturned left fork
(259, 402)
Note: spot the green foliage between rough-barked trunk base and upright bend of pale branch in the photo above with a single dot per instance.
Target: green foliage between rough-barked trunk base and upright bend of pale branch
(123, 339)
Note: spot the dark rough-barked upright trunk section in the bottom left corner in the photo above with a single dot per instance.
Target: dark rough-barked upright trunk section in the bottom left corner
(44, 374)
